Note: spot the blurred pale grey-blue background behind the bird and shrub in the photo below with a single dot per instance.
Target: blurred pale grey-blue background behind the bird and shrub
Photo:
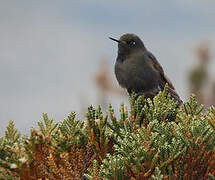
(55, 56)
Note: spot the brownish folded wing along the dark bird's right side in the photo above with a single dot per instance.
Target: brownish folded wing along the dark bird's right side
(159, 68)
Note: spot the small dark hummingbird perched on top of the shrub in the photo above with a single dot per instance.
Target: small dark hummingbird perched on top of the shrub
(138, 70)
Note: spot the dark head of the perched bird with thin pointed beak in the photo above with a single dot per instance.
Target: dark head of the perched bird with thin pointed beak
(129, 43)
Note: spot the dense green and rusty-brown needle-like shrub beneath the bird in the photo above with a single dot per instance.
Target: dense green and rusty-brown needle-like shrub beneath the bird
(156, 139)
